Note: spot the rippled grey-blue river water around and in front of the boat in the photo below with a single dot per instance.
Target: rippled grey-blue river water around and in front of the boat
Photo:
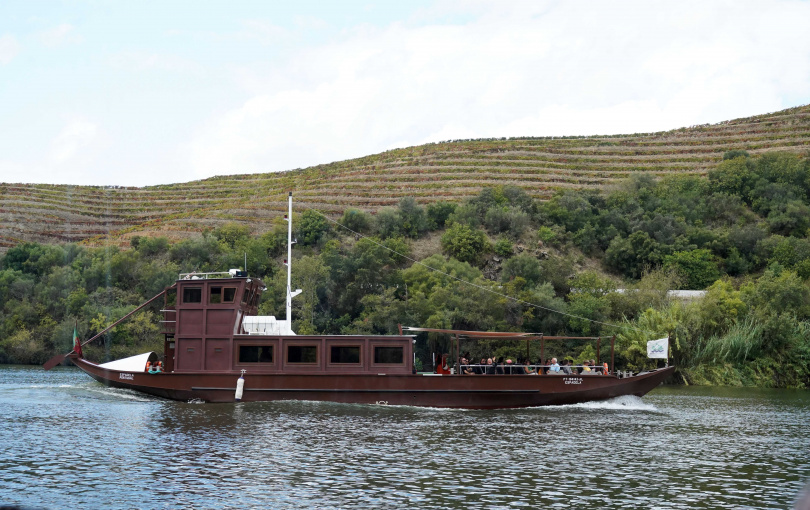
(72, 443)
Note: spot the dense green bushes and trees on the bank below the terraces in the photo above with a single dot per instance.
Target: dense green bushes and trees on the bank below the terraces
(741, 233)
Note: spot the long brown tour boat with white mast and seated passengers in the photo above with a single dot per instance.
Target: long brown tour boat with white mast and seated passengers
(217, 349)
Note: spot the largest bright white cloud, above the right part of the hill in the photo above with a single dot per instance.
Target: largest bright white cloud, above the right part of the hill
(531, 69)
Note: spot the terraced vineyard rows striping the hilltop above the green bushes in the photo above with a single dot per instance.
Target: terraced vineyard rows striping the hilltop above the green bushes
(442, 171)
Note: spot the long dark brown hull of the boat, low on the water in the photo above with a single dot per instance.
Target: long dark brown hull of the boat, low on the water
(449, 391)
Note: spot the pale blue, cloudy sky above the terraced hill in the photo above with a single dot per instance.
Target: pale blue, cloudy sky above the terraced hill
(155, 92)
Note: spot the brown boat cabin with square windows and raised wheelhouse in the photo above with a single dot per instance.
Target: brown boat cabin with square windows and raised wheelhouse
(210, 325)
